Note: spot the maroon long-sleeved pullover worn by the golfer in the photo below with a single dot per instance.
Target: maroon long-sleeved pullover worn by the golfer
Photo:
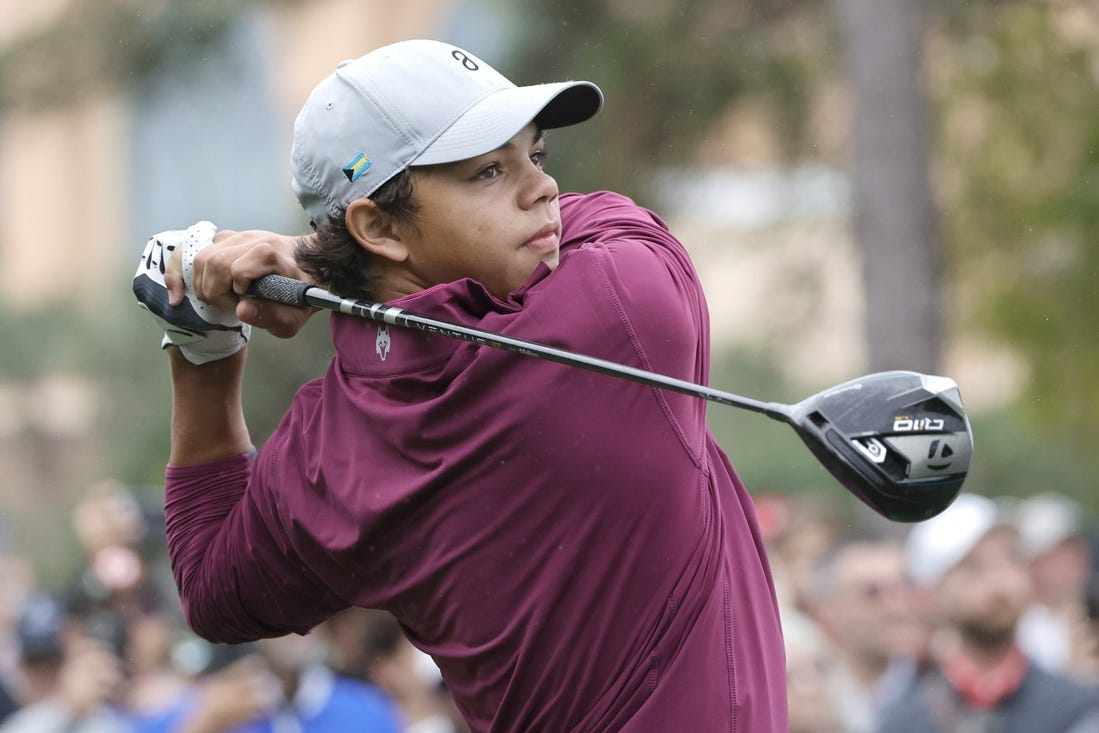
(574, 550)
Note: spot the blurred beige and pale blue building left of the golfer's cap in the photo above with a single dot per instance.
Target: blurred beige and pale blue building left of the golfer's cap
(83, 184)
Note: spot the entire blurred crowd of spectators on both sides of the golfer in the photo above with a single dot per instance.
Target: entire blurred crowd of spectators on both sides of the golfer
(983, 619)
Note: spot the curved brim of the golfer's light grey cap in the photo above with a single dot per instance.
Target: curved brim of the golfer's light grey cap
(495, 120)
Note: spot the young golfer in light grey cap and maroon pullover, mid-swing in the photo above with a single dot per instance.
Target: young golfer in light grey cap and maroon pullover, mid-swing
(574, 551)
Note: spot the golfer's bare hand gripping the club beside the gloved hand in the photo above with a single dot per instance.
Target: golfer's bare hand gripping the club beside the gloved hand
(224, 272)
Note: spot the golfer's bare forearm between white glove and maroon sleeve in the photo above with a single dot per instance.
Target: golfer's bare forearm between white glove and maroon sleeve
(207, 416)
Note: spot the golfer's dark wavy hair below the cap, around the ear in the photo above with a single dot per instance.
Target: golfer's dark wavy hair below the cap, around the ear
(340, 264)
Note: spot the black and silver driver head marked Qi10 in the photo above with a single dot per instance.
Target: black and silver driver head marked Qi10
(900, 441)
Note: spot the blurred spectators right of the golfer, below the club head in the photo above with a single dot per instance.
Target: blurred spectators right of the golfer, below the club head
(984, 619)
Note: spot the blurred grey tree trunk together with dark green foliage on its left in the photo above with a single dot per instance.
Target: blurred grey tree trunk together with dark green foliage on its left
(673, 72)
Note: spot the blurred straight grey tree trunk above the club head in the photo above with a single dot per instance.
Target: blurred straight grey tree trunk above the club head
(895, 217)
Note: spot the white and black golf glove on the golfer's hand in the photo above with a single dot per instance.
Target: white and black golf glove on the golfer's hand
(203, 332)
